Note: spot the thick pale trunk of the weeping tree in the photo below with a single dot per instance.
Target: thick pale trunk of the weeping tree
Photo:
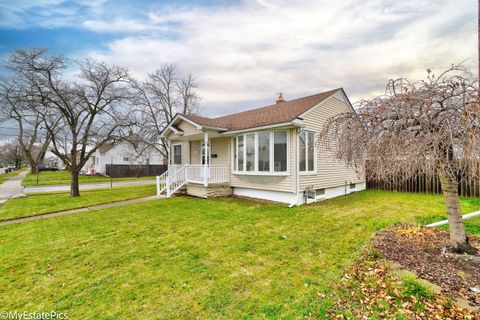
(458, 235)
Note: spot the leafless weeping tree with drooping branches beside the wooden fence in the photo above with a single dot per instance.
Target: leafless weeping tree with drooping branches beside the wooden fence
(423, 127)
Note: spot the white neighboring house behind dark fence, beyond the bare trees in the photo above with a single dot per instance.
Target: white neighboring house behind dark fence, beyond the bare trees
(120, 152)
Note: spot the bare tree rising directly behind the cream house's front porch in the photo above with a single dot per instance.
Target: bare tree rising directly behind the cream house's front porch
(162, 95)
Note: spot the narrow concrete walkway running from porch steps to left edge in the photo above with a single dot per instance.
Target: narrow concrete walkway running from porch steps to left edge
(91, 208)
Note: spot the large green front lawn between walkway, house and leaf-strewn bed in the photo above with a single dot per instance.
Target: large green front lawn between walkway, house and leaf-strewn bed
(188, 258)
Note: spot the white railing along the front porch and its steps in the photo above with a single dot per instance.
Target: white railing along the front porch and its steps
(177, 176)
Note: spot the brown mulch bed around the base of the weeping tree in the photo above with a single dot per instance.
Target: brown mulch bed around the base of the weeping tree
(425, 251)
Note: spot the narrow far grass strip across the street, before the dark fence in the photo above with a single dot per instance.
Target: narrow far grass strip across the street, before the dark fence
(46, 178)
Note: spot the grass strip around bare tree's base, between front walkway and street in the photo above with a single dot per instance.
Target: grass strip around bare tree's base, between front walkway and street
(39, 203)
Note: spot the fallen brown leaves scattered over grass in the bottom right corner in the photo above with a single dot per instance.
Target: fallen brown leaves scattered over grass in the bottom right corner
(370, 290)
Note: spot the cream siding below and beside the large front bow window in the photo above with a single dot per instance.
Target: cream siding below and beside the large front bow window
(273, 183)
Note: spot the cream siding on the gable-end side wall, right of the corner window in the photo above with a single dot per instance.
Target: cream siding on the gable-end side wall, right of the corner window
(331, 171)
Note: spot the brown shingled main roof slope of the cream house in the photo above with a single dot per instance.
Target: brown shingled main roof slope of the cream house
(272, 114)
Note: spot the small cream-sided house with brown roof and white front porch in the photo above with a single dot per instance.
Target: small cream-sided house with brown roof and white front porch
(269, 153)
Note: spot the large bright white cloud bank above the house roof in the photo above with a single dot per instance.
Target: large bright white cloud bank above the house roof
(246, 53)
